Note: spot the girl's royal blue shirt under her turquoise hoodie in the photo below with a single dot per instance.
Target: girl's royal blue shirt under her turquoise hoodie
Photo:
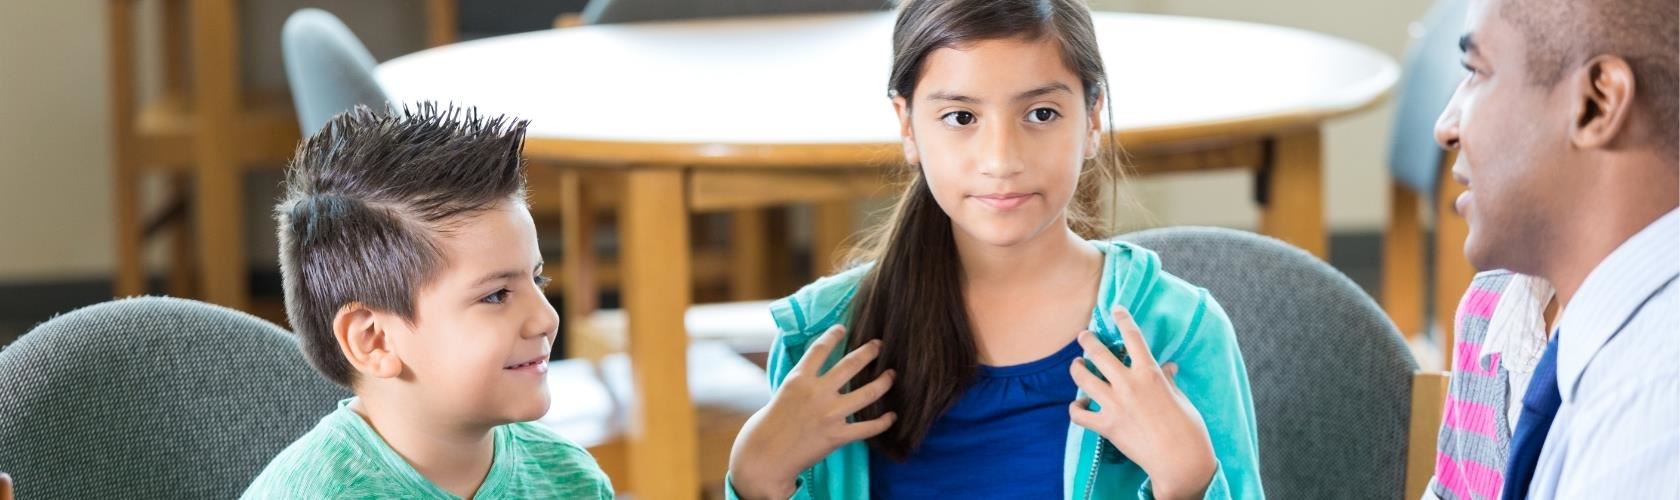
(1004, 439)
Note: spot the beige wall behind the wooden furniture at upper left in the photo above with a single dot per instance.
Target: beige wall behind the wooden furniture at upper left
(56, 209)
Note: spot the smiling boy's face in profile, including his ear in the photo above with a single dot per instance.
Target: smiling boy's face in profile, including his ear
(483, 330)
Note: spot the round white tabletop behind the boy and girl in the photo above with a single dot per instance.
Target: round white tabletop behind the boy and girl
(822, 80)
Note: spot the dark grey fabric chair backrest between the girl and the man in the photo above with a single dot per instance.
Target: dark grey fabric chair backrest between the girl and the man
(1330, 373)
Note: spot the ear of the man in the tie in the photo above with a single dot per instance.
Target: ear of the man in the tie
(1604, 93)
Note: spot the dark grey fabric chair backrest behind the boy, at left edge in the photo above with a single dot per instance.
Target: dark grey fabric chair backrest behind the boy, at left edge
(154, 398)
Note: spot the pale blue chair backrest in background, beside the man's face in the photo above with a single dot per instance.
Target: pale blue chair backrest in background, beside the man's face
(1427, 85)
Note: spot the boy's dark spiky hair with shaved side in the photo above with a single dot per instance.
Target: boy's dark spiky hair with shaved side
(365, 202)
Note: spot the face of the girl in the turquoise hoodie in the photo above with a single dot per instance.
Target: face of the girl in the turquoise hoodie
(1000, 130)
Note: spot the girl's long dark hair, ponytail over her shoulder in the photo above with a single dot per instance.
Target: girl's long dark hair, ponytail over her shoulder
(913, 298)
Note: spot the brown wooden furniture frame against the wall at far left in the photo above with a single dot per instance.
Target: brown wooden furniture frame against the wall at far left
(204, 132)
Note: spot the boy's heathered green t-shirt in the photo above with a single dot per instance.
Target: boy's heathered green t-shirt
(345, 459)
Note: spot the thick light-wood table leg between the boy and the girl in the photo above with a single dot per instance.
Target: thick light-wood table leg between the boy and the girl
(664, 444)
